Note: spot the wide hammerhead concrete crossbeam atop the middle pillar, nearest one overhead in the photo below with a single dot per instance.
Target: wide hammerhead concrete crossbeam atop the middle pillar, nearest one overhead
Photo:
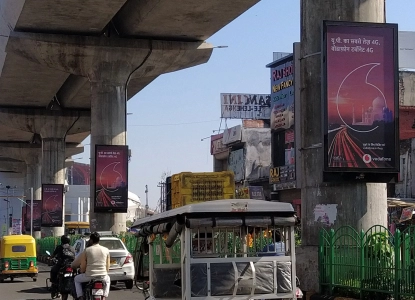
(82, 55)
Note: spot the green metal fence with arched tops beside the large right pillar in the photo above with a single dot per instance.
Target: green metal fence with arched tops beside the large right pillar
(368, 265)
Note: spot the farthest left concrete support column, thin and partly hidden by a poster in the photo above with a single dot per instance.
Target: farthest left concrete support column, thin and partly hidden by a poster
(34, 180)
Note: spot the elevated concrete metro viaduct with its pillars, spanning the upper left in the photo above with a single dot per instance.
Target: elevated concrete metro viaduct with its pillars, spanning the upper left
(68, 67)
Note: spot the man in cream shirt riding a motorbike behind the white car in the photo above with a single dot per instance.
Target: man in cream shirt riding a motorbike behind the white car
(94, 265)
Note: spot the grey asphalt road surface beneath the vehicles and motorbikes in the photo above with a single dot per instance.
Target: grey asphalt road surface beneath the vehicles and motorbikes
(26, 289)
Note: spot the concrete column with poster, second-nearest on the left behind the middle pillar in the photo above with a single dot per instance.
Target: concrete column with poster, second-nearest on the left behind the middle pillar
(53, 168)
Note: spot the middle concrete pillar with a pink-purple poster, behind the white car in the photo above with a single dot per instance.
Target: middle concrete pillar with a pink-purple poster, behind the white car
(108, 102)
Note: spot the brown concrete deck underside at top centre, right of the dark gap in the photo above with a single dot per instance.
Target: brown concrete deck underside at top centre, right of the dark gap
(192, 20)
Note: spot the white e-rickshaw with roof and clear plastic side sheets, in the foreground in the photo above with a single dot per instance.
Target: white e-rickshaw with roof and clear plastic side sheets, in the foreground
(223, 249)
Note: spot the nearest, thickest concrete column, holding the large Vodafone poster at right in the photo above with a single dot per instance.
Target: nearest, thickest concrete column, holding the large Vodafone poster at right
(359, 205)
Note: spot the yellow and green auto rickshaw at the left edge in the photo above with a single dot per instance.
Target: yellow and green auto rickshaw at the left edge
(18, 257)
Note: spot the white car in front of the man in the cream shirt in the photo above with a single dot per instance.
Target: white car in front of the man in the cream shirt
(122, 265)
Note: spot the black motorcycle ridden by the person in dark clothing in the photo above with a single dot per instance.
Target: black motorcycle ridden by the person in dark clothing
(65, 281)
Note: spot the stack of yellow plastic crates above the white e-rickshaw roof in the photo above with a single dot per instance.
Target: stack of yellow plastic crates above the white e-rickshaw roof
(190, 188)
